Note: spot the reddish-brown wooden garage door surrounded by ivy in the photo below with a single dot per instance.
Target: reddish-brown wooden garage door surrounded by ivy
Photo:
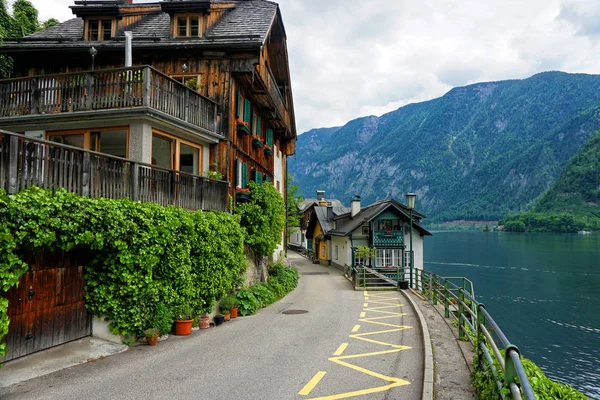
(47, 308)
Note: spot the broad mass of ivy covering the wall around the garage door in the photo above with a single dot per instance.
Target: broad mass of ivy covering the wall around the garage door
(138, 254)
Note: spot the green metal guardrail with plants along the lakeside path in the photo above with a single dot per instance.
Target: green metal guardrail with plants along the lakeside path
(457, 295)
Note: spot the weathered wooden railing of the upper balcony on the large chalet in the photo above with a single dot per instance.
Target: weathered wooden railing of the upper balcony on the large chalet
(118, 88)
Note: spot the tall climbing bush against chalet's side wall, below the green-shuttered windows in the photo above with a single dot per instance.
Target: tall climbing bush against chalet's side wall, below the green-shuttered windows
(263, 218)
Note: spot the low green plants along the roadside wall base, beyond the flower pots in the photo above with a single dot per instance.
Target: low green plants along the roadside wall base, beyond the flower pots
(282, 280)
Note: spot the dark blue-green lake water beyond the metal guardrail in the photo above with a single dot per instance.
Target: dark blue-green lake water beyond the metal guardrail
(542, 289)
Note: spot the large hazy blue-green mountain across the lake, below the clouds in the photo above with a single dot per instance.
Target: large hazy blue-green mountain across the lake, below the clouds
(480, 152)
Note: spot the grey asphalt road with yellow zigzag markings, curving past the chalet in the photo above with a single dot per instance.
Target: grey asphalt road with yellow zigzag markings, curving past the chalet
(349, 344)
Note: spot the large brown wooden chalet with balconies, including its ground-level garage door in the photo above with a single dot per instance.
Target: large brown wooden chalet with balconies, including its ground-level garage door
(208, 88)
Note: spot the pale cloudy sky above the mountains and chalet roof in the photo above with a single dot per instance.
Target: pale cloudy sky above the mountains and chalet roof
(353, 58)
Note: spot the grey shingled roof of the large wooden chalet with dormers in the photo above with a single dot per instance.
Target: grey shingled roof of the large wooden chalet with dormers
(246, 25)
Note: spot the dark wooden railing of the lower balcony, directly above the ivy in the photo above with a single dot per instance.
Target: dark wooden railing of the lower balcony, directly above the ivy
(26, 162)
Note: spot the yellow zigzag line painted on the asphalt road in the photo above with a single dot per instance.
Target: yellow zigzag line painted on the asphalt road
(394, 382)
